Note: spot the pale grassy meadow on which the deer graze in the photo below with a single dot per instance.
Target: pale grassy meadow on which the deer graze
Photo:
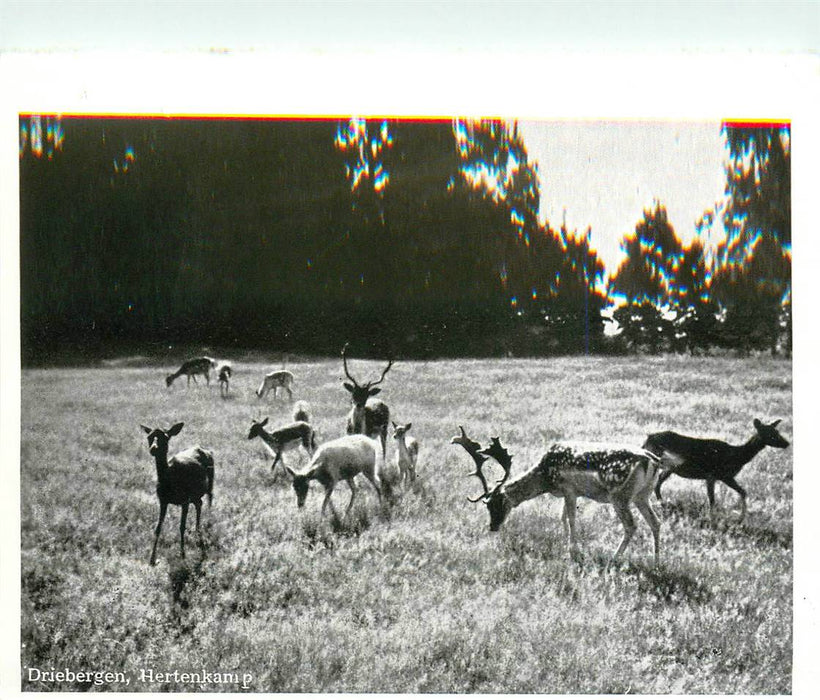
(417, 597)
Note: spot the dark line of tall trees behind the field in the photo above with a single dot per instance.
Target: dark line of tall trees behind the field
(404, 238)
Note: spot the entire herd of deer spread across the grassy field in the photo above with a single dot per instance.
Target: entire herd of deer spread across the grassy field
(621, 475)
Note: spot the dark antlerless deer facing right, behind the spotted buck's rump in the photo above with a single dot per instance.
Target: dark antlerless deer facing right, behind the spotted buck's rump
(711, 460)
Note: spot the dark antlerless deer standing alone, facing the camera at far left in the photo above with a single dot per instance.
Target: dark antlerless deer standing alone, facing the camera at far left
(182, 480)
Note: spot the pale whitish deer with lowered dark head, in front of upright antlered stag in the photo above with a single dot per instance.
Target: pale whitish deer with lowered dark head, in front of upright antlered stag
(342, 458)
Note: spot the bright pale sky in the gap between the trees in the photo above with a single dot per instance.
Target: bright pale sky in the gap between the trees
(604, 174)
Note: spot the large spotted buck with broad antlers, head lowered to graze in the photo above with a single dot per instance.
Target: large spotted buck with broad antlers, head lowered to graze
(617, 474)
